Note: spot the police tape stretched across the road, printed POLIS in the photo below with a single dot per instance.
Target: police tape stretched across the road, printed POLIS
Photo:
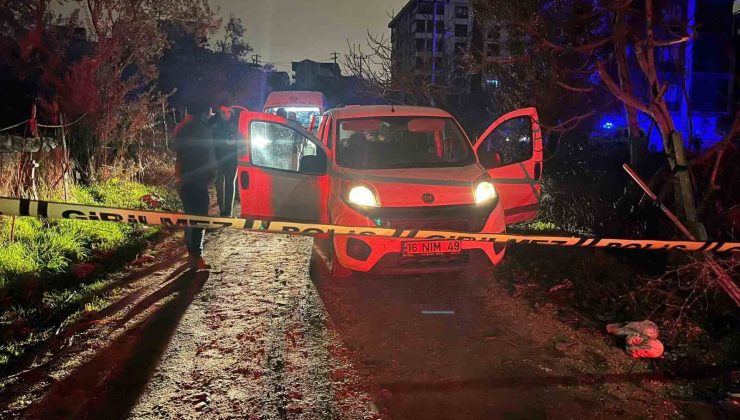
(52, 210)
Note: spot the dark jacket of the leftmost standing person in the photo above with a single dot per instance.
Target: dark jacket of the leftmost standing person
(196, 163)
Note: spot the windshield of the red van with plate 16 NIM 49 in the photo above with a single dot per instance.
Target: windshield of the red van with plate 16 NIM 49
(402, 142)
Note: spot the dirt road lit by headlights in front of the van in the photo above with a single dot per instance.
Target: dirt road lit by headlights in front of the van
(261, 337)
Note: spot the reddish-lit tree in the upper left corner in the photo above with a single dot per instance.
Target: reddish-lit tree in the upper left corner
(111, 76)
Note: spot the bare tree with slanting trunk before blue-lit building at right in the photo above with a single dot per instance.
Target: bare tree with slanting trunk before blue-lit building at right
(583, 48)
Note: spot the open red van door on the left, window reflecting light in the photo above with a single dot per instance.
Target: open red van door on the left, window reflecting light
(282, 170)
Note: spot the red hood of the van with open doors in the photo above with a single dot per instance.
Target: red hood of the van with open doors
(415, 187)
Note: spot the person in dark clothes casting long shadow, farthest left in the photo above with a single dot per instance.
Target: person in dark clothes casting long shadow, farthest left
(195, 170)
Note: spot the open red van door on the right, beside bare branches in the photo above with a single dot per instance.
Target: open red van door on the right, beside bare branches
(511, 151)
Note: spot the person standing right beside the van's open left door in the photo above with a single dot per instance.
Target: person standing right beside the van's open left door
(224, 128)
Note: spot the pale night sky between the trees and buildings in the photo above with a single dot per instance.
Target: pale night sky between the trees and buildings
(281, 31)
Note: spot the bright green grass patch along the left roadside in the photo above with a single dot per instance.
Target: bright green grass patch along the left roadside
(50, 270)
